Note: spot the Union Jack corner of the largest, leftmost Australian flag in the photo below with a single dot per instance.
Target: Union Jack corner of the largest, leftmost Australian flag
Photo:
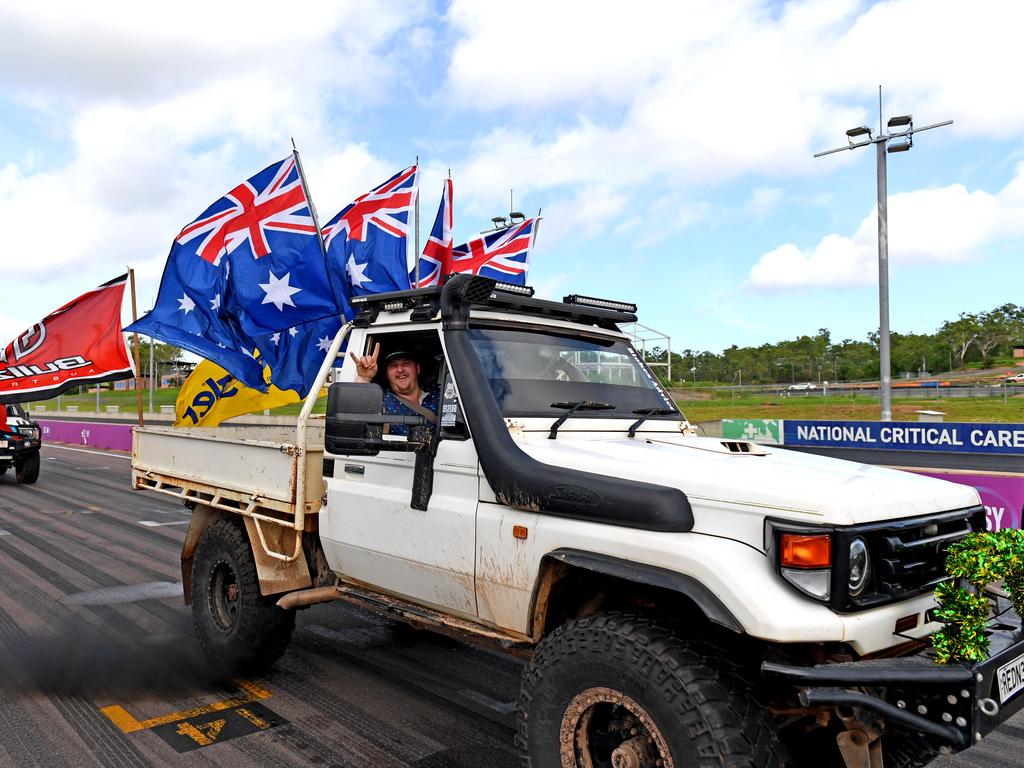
(272, 201)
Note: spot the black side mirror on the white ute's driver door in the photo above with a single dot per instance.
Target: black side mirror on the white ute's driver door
(356, 424)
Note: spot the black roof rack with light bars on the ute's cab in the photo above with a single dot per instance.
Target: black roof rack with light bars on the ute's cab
(480, 292)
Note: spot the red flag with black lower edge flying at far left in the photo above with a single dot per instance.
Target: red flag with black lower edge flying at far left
(80, 344)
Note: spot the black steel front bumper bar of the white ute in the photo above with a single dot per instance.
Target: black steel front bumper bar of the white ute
(955, 705)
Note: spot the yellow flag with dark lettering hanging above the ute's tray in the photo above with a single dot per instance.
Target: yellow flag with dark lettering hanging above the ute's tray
(211, 395)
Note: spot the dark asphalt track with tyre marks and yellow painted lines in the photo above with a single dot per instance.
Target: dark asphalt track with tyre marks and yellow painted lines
(101, 667)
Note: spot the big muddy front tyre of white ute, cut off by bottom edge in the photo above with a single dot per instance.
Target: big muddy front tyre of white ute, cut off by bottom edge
(622, 690)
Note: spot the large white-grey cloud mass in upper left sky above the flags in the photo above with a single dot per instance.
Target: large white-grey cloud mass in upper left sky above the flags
(166, 109)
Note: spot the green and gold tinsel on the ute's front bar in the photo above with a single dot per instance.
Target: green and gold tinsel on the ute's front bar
(975, 563)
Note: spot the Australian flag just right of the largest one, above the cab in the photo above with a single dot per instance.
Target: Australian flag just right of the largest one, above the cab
(367, 242)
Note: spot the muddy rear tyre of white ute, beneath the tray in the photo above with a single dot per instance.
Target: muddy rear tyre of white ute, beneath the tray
(236, 625)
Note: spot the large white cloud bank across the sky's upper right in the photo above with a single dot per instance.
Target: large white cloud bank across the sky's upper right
(679, 96)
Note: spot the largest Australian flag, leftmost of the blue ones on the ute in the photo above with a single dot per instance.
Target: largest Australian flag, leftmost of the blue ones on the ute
(249, 267)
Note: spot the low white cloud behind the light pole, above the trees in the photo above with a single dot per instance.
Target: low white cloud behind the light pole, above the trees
(929, 227)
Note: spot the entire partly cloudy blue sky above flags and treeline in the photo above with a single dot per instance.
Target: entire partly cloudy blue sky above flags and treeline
(670, 145)
